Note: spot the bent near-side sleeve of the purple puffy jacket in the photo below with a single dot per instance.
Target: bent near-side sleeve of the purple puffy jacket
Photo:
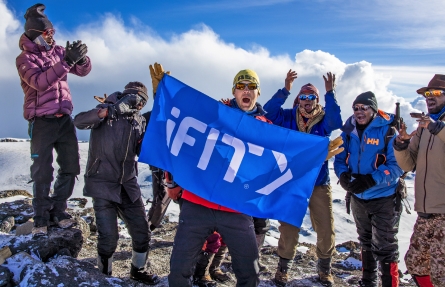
(37, 79)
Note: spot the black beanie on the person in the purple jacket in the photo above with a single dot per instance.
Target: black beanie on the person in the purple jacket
(36, 20)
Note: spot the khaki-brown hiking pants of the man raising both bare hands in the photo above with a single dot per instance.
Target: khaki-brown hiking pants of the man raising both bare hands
(322, 219)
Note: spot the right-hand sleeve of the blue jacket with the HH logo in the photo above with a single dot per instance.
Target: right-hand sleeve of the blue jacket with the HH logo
(390, 171)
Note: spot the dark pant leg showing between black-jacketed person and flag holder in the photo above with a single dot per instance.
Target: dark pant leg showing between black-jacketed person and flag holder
(160, 201)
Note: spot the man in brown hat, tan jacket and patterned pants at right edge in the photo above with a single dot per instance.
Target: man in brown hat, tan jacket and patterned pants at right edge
(425, 152)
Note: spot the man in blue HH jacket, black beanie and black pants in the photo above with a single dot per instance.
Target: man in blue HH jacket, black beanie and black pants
(368, 170)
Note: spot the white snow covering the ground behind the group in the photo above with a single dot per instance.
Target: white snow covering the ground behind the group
(15, 162)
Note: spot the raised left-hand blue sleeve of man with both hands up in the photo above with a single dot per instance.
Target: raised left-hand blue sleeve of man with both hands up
(275, 113)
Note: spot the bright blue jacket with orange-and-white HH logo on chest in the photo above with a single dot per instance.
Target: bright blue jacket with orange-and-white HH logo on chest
(360, 156)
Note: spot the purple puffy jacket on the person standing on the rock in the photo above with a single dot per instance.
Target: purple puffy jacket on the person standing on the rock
(43, 76)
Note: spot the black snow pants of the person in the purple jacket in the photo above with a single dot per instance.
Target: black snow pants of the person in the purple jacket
(48, 133)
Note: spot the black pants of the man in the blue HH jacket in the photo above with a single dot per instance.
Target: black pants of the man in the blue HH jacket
(377, 224)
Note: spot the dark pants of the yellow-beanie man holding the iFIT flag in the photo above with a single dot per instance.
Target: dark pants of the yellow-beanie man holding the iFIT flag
(196, 223)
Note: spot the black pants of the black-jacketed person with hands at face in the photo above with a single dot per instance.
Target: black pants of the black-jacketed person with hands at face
(132, 213)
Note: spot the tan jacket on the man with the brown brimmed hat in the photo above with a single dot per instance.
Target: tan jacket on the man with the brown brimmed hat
(426, 153)
